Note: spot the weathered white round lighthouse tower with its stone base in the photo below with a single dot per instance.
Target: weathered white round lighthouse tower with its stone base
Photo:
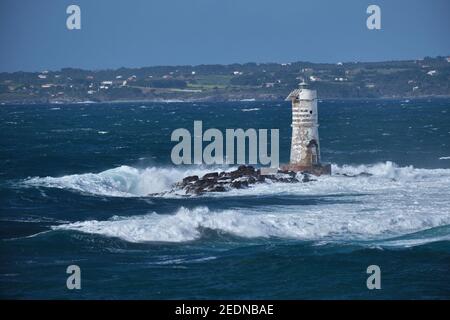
(305, 145)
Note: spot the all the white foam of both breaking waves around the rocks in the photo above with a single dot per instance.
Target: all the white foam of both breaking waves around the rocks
(393, 201)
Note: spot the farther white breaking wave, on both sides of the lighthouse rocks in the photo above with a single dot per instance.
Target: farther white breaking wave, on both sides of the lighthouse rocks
(126, 181)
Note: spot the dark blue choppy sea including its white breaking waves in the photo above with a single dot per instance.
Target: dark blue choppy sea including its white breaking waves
(74, 180)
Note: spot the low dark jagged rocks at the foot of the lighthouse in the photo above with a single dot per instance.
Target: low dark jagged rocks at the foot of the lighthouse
(243, 177)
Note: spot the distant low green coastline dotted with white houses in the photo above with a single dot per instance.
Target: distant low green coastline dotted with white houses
(424, 78)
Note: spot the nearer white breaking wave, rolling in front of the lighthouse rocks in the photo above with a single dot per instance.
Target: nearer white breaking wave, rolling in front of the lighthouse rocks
(317, 224)
